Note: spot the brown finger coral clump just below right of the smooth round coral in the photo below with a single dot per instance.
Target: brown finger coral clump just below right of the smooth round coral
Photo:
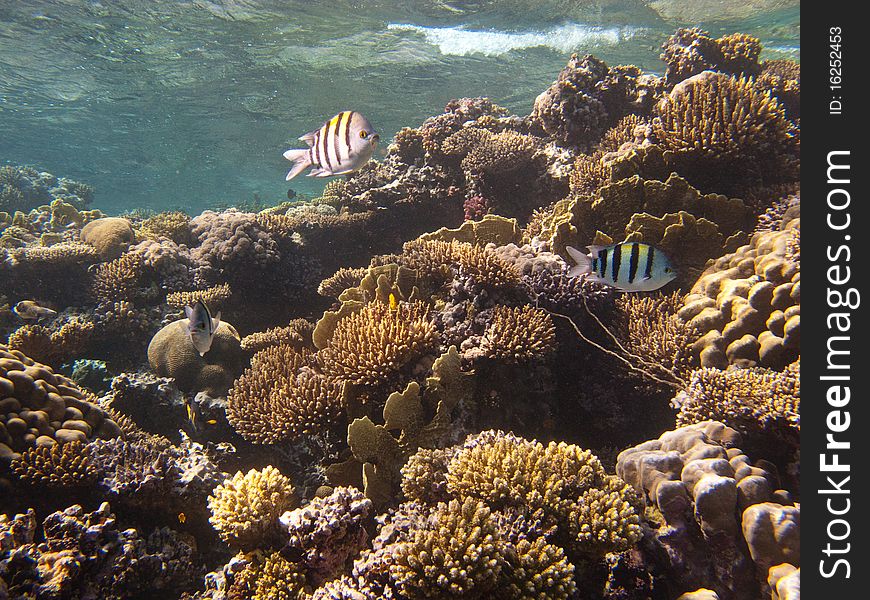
(282, 396)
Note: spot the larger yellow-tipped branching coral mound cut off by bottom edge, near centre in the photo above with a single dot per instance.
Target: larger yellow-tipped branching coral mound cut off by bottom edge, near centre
(457, 556)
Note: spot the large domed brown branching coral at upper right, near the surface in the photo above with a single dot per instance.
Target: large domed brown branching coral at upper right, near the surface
(720, 128)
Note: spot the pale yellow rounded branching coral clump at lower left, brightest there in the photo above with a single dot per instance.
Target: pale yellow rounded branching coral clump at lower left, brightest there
(245, 508)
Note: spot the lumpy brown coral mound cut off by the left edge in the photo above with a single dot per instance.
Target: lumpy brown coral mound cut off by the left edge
(40, 408)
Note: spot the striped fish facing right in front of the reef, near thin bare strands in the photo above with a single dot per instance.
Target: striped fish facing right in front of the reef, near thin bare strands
(629, 266)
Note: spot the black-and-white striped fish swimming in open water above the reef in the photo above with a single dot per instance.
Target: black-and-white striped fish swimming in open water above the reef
(342, 145)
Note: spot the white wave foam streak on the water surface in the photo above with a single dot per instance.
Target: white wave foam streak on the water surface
(569, 37)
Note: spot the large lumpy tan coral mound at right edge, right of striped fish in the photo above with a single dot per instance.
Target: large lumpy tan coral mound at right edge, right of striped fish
(746, 305)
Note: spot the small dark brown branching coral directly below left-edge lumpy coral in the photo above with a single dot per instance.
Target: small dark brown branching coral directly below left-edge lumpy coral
(57, 465)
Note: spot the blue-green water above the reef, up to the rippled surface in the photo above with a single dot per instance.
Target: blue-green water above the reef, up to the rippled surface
(190, 104)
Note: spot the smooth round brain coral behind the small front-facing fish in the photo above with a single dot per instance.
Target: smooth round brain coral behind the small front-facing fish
(172, 354)
